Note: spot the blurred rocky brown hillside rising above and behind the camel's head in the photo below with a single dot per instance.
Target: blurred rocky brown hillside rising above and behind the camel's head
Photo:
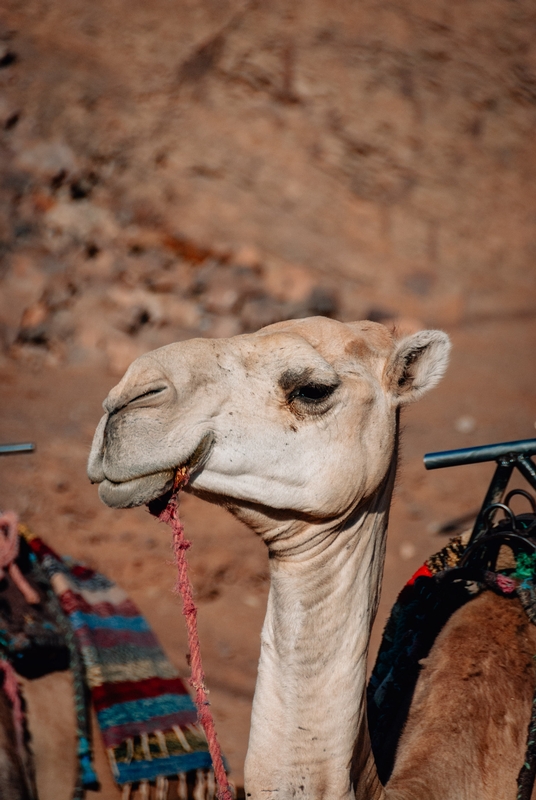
(205, 168)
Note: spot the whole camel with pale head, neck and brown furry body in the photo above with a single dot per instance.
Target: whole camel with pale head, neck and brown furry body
(295, 430)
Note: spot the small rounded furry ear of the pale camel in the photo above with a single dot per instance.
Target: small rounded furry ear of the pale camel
(417, 365)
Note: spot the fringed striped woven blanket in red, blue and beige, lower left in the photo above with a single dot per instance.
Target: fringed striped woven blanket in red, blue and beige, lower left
(147, 719)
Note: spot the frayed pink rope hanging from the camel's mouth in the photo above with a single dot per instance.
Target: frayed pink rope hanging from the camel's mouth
(170, 516)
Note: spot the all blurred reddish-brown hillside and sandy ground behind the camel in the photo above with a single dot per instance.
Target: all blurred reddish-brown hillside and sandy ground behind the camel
(201, 168)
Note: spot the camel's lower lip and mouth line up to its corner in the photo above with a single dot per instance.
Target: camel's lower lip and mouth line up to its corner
(145, 489)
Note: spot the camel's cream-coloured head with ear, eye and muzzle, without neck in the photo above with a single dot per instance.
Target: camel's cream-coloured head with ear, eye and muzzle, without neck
(298, 418)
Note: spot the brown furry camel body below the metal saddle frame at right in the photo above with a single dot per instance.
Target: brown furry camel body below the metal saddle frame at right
(466, 733)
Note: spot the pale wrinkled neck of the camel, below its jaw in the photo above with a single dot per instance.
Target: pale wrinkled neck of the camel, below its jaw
(309, 735)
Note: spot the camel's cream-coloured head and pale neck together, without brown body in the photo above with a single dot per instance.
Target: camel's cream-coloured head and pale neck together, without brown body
(294, 430)
